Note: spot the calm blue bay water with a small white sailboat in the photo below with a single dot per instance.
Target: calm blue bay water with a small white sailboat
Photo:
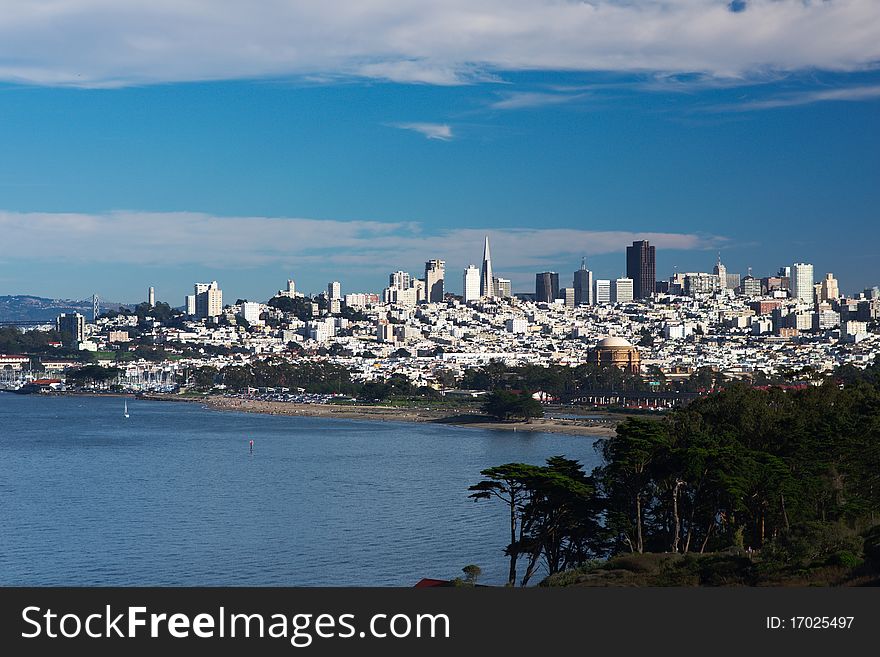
(172, 496)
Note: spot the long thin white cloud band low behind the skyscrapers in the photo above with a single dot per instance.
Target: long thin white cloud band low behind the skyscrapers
(184, 238)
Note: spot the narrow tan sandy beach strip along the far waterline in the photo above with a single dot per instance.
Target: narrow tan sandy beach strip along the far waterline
(585, 427)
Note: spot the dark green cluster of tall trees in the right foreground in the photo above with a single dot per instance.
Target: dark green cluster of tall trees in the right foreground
(793, 475)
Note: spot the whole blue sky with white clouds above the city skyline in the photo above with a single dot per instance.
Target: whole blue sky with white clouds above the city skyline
(355, 144)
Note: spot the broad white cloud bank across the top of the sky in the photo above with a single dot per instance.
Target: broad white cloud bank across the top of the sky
(124, 42)
